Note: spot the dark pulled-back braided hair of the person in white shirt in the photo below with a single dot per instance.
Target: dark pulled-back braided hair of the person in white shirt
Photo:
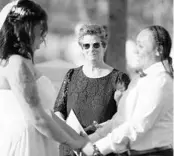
(163, 39)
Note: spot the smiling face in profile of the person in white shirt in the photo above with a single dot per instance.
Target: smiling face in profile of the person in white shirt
(147, 52)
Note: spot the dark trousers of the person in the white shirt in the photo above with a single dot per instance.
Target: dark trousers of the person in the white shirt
(167, 152)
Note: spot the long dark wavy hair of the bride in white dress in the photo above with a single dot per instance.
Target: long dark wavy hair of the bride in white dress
(17, 33)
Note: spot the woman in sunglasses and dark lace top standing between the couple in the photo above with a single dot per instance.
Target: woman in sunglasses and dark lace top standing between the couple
(89, 89)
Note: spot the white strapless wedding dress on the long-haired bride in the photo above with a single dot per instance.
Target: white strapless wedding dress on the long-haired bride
(17, 136)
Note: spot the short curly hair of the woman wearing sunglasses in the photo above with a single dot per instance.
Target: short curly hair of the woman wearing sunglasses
(96, 30)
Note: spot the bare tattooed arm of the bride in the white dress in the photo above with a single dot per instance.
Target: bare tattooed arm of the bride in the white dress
(23, 85)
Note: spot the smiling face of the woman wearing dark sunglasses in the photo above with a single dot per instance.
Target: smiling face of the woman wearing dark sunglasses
(92, 48)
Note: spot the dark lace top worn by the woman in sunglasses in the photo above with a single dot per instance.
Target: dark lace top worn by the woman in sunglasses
(90, 98)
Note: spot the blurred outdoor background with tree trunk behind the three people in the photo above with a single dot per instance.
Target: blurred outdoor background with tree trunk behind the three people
(124, 18)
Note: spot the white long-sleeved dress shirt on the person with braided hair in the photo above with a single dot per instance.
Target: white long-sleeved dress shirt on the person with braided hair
(145, 115)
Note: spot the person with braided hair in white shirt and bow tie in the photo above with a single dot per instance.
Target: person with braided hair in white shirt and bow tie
(143, 125)
